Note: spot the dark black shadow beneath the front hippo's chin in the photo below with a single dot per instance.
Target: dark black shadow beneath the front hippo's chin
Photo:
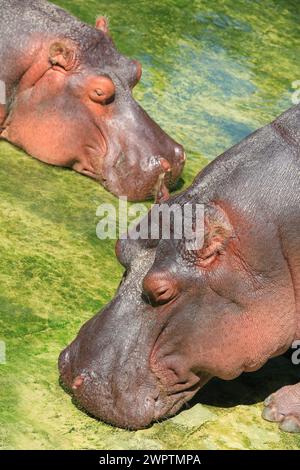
(250, 388)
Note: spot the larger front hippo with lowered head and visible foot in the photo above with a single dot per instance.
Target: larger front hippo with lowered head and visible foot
(183, 313)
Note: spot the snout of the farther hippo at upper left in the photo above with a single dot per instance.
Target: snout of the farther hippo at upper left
(142, 161)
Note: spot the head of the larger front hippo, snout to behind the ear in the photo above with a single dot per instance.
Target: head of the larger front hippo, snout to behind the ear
(183, 315)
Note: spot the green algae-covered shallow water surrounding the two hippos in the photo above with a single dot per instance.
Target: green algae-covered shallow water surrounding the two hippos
(214, 70)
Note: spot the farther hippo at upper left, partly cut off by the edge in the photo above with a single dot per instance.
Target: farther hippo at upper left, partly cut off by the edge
(68, 102)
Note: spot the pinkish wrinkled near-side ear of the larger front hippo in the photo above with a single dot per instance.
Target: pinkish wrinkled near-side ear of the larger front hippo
(217, 234)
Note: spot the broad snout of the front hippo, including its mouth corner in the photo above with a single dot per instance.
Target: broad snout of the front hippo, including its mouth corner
(111, 378)
